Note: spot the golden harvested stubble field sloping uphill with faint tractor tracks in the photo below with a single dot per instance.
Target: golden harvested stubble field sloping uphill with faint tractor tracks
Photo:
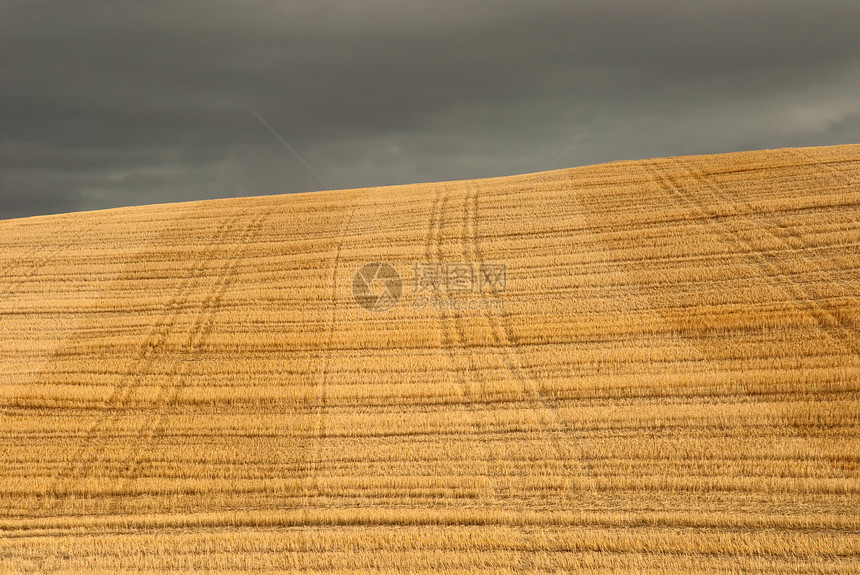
(667, 380)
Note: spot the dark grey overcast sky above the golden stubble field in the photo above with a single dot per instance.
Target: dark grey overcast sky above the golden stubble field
(115, 103)
